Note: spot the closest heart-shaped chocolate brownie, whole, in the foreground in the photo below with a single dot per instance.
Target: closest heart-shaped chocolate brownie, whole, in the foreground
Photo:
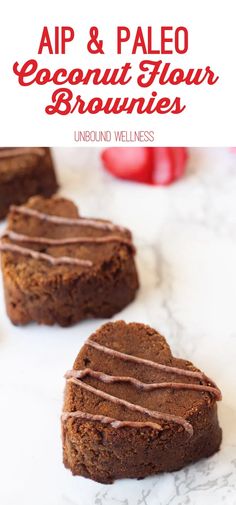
(170, 419)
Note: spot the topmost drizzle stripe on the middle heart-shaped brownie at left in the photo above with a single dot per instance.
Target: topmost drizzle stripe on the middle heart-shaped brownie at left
(94, 223)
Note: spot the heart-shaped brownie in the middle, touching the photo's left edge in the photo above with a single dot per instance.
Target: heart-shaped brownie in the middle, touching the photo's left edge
(61, 268)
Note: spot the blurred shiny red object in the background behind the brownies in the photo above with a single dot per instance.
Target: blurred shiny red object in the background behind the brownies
(150, 165)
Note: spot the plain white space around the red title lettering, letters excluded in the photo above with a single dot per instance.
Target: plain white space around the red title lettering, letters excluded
(209, 118)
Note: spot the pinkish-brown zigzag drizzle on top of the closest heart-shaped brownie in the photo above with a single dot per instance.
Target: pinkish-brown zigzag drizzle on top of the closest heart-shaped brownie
(76, 377)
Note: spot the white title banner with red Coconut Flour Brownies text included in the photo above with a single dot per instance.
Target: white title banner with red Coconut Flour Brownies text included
(153, 73)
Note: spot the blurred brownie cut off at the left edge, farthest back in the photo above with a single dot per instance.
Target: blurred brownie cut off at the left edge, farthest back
(24, 172)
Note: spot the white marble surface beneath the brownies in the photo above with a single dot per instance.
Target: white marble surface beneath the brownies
(186, 240)
